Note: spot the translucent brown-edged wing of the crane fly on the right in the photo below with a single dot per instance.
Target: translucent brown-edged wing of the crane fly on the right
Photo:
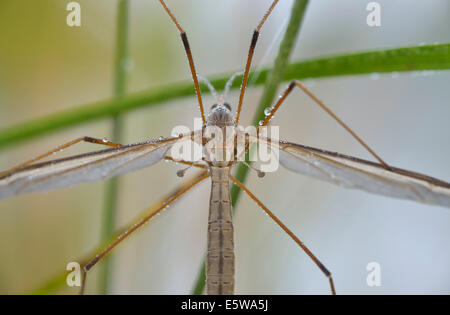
(356, 173)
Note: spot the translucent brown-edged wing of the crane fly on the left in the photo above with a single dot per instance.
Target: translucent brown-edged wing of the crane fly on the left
(83, 168)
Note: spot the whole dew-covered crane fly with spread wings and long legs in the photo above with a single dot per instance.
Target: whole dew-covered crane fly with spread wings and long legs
(374, 177)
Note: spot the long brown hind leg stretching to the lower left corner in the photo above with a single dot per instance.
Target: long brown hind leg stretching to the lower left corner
(178, 193)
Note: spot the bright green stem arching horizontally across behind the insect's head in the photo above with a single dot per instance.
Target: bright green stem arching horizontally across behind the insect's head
(416, 58)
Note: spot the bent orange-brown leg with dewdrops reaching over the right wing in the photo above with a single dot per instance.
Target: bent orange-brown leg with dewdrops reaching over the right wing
(289, 89)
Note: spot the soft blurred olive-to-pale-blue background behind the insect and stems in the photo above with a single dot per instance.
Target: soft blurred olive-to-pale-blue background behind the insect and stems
(47, 67)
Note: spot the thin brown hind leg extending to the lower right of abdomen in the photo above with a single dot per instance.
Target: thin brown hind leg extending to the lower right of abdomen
(290, 233)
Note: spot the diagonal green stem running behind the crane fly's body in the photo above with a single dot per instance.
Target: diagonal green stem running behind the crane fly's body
(273, 81)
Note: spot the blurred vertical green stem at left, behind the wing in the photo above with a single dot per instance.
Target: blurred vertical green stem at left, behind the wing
(112, 186)
